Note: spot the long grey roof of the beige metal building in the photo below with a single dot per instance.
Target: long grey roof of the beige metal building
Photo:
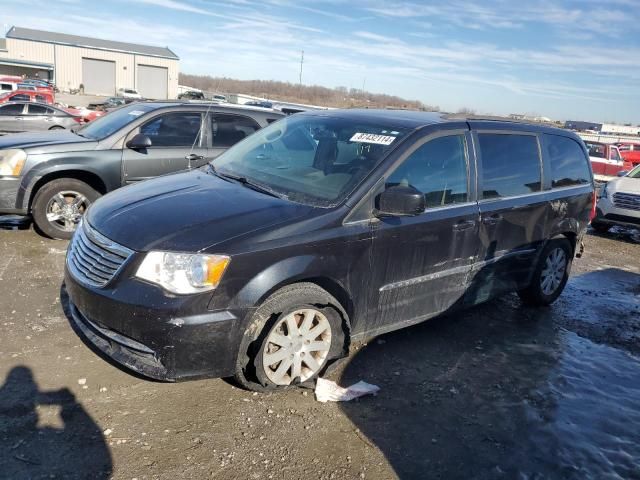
(20, 33)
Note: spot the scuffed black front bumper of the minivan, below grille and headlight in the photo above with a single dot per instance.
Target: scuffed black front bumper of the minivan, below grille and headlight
(166, 338)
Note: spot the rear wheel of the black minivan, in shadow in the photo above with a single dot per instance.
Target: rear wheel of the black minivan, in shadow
(551, 274)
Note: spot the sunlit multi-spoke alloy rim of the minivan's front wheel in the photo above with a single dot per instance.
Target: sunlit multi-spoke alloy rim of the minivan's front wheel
(297, 347)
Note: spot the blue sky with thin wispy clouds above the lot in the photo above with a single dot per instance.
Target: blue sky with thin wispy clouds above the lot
(569, 59)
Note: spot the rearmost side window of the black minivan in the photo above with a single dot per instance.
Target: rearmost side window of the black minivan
(568, 164)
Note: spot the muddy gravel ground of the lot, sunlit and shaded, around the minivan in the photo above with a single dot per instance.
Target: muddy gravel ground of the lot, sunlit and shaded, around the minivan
(501, 391)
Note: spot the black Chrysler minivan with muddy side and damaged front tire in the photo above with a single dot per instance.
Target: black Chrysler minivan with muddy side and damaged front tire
(322, 229)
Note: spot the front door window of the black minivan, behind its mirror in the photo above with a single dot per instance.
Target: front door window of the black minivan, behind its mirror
(438, 169)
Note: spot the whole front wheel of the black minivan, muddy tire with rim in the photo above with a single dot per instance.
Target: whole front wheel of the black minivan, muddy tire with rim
(283, 318)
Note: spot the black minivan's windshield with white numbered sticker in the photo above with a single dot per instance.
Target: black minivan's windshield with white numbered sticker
(311, 159)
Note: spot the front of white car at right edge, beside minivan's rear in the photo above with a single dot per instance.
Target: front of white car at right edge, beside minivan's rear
(619, 203)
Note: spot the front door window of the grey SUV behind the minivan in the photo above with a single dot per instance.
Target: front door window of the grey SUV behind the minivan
(180, 129)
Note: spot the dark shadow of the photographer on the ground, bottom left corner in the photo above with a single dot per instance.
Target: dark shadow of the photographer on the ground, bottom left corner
(47, 434)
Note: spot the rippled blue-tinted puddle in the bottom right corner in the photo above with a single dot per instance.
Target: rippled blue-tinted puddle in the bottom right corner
(589, 428)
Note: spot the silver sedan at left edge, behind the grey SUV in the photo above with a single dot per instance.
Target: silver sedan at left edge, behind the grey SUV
(34, 117)
